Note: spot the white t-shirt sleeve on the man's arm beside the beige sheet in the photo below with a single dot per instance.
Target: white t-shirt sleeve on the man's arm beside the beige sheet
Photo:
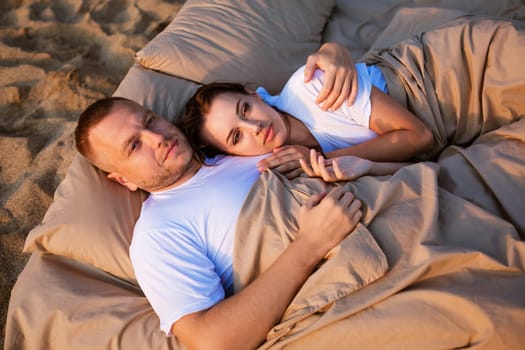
(175, 274)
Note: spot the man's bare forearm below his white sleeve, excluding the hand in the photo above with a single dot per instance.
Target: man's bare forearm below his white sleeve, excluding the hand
(243, 320)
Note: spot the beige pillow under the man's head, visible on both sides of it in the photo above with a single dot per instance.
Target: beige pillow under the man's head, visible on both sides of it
(91, 218)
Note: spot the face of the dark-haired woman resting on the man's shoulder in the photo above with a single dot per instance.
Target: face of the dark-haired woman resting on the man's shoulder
(243, 125)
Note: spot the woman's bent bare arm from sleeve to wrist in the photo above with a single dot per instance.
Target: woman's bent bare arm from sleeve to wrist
(402, 135)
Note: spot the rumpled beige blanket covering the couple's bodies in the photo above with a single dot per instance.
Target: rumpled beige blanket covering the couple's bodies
(438, 261)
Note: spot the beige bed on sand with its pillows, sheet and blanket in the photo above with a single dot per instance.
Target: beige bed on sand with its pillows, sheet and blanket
(438, 260)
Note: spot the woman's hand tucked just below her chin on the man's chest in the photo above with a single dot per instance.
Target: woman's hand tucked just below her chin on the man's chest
(285, 160)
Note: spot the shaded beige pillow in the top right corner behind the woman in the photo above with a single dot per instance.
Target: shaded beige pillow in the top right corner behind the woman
(357, 24)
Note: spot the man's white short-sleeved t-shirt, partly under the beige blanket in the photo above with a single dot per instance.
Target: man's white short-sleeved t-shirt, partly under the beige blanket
(182, 246)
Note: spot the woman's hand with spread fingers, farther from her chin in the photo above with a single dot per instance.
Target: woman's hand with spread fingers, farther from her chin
(336, 169)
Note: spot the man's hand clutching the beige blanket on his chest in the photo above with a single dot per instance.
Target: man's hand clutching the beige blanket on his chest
(326, 219)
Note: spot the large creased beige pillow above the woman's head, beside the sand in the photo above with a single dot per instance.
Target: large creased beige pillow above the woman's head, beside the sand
(259, 42)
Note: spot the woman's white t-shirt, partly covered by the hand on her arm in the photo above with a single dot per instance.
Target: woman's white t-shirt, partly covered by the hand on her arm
(345, 127)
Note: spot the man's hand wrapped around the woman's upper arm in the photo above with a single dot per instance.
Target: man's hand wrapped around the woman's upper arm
(340, 79)
